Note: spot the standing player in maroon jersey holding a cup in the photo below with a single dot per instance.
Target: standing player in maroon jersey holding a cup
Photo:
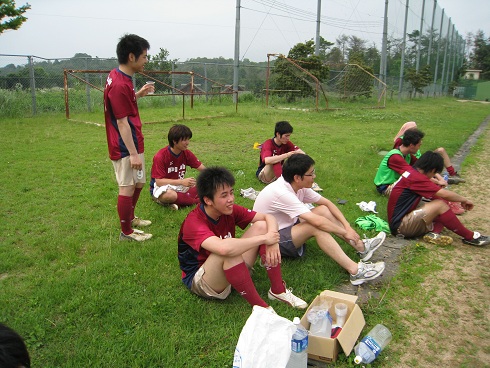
(123, 128)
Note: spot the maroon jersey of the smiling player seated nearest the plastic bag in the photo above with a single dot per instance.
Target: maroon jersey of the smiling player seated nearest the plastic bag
(197, 227)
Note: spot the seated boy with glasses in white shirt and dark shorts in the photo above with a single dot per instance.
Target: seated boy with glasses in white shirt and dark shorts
(287, 198)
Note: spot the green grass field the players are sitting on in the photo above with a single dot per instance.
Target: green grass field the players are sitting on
(81, 298)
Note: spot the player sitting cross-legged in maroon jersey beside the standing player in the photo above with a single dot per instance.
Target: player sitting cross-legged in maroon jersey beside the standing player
(168, 185)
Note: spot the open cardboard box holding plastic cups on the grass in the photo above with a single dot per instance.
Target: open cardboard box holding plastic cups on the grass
(327, 349)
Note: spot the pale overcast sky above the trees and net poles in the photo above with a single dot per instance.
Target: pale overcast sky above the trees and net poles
(206, 28)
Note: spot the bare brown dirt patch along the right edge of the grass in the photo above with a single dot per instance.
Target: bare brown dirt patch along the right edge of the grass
(448, 323)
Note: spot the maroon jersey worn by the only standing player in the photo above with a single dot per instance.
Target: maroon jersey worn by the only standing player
(119, 102)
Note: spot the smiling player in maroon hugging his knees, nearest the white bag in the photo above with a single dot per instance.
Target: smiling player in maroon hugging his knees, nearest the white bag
(212, 260)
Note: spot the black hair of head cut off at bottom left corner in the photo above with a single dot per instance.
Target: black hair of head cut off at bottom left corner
(13, 350)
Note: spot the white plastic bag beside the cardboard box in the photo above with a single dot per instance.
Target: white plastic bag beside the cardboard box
(265, 341)
